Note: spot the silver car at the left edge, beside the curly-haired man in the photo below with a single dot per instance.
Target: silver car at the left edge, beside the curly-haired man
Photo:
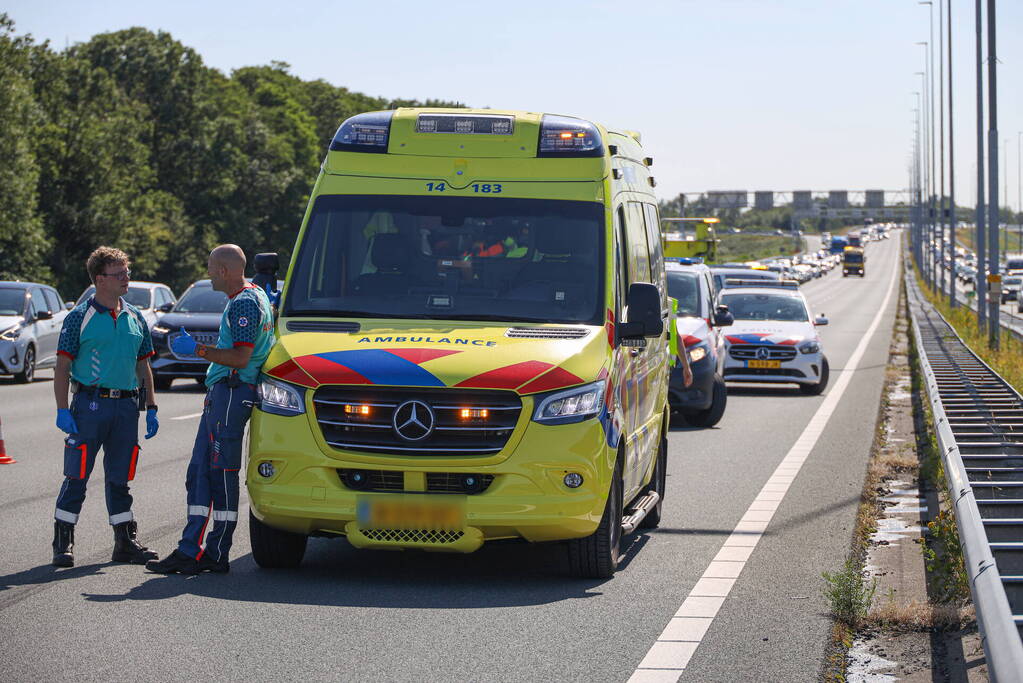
(31, 317)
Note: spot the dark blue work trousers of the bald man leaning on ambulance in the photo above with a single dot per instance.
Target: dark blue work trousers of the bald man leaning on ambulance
(212, 483)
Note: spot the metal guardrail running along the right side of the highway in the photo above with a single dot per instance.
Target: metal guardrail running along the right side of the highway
(980, 423)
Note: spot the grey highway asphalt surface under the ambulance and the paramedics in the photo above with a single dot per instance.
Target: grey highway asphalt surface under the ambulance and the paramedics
(506, 613)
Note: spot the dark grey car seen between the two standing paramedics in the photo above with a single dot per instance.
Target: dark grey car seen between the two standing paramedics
(199, 311)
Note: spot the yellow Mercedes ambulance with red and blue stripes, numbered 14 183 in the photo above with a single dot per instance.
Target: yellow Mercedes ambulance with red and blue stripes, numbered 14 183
(472, 343)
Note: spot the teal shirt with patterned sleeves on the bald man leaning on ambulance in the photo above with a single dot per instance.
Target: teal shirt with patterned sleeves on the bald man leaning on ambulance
(248, 322)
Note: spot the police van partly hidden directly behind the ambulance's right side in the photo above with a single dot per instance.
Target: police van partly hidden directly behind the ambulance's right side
(698, 325)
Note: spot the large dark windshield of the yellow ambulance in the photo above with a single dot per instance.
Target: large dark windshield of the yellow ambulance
(451, 259)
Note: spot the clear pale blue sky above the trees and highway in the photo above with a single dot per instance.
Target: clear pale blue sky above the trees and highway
(729, 95)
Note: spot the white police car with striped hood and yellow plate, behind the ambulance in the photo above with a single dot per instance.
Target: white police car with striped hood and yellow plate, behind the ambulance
(773, 339)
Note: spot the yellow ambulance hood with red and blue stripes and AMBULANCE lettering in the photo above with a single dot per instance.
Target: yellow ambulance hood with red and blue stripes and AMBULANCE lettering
(524, 359)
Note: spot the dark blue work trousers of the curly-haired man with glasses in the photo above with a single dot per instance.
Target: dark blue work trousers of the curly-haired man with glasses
(113, 425)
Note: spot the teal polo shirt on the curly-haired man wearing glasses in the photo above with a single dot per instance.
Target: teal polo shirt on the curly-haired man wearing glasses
(105, 348)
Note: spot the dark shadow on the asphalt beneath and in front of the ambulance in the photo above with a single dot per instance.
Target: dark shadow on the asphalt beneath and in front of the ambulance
(334, 574)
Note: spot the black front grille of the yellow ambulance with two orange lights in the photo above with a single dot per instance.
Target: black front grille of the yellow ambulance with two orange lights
(451, 436)
